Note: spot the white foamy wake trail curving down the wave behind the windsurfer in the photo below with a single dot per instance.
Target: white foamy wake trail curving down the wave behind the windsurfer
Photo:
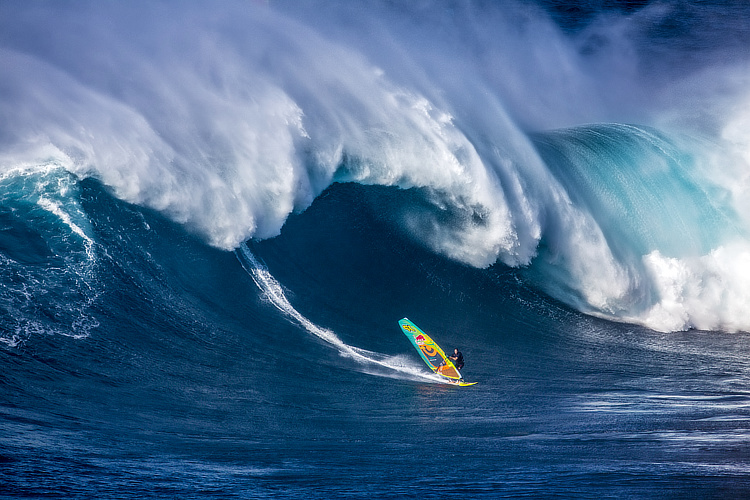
(272, 290)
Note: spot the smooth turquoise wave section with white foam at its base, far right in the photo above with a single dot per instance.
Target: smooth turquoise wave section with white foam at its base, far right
(662, 246)
